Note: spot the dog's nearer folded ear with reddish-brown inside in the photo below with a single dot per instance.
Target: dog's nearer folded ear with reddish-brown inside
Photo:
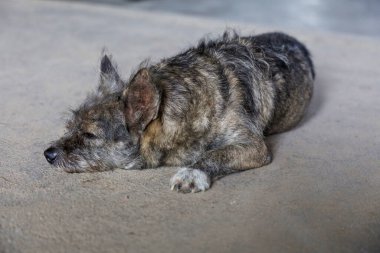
(142, 101)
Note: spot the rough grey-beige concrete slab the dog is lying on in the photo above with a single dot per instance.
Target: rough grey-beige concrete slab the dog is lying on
(320, 193)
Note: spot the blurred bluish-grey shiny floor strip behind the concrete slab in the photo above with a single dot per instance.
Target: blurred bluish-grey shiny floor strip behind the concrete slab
(342, 16)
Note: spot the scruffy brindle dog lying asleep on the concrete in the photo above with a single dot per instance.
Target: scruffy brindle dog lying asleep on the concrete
(205, 111)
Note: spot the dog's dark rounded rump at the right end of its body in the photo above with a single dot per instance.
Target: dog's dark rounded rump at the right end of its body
(292, 74)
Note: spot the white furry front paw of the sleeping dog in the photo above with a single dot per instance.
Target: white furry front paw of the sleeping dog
(190, 180)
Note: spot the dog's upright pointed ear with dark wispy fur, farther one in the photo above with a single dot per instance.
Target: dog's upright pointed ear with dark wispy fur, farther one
(110, 81)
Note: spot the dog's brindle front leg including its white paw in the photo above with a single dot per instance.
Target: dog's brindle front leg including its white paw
(220, 162)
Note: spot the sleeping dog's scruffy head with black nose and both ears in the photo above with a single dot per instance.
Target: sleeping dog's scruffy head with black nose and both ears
(104, 132)
